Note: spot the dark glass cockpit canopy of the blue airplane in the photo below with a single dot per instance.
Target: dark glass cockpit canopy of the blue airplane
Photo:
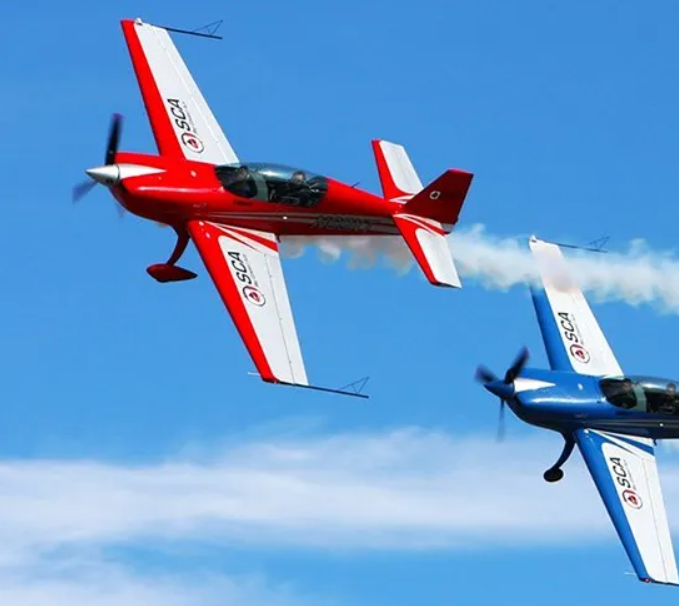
(646, 394)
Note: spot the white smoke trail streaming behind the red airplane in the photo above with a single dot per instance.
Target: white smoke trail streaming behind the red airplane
(637, 276)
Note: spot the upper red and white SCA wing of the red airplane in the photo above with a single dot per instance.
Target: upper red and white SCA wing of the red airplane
(182, 123)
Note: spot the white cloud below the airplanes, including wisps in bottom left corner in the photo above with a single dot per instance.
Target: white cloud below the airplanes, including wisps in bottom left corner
(401, 490)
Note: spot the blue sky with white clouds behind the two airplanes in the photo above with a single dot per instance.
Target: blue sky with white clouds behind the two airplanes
(143, 464)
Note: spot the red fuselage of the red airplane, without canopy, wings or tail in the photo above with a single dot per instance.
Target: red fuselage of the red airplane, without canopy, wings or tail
(187, 190)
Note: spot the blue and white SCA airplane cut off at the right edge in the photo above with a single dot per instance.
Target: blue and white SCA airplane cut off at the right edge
(615, 419)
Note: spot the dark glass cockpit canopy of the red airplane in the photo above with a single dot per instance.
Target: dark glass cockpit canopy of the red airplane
(273, 183)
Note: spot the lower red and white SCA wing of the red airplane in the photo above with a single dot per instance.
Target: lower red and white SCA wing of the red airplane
(245, 266)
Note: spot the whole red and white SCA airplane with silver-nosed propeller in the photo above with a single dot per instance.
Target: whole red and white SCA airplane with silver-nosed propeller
(235, 212)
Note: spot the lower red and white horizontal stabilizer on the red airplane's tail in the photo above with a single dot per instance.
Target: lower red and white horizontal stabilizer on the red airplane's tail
(427, 241)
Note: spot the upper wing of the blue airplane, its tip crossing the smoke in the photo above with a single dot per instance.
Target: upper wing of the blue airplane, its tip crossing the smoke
(572, 336)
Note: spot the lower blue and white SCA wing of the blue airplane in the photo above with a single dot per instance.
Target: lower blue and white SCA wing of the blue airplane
(625, 473)
